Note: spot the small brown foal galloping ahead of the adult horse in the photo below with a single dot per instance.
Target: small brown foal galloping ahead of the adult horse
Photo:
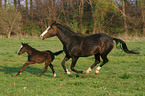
(35, 56)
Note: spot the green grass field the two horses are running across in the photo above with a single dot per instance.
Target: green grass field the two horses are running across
(124, 75)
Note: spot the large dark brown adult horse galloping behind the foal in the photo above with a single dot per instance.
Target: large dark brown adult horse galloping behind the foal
(78, 45)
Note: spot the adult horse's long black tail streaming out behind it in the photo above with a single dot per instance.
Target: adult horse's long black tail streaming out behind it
(124, 47)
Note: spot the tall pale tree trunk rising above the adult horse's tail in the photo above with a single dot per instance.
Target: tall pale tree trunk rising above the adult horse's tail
(124, 18)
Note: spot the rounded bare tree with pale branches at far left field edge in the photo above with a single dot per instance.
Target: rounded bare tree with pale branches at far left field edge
(10, 21)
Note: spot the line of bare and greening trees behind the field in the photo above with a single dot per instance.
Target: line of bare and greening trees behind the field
(114, 17)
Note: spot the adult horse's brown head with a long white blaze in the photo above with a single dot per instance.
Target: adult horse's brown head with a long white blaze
(49, 32)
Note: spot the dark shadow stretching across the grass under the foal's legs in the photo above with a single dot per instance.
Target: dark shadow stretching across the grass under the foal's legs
(36, 71)
